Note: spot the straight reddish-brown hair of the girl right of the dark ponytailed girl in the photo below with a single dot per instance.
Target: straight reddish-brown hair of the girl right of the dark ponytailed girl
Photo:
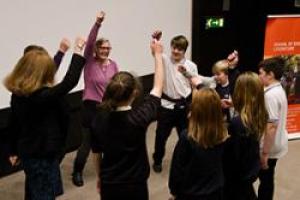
(206, 124)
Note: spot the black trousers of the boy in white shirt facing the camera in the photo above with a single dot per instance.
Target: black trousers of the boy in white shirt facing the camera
(167, 119)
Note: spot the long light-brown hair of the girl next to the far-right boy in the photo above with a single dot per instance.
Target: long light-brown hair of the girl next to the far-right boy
(249, 102)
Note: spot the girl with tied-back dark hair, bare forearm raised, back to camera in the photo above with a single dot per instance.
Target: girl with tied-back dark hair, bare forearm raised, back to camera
(119, 134)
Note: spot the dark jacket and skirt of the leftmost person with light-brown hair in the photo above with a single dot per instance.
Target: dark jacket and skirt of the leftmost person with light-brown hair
(38, 129)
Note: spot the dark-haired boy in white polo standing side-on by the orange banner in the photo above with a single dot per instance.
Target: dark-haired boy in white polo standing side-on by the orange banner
(275, 142)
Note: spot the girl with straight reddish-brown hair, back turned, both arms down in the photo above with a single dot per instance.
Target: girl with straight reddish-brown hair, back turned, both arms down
(196, 168)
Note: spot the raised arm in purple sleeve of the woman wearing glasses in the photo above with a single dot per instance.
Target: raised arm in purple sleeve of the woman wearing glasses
(89, 49)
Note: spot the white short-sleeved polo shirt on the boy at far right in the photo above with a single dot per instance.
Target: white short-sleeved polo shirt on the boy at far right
(276, 104)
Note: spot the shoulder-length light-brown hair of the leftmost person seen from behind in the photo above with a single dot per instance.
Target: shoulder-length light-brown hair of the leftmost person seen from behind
(33, 71)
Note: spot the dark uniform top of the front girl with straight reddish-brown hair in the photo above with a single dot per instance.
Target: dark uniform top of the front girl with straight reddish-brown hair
(196, 172)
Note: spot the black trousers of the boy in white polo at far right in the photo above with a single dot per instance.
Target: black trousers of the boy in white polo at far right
(266, 178)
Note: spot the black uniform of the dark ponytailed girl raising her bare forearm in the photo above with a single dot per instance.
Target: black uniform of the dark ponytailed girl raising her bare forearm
(120, 136)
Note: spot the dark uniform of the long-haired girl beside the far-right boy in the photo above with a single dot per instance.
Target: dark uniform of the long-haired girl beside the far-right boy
(241, 162)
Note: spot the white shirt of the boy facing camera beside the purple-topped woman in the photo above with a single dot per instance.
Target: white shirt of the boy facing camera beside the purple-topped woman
(176, 85)
